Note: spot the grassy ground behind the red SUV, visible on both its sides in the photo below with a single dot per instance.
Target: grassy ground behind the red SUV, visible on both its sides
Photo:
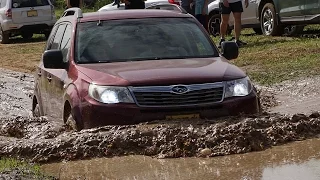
(267, 60)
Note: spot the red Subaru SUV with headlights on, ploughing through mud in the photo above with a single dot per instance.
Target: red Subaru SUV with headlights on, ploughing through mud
(125, 67)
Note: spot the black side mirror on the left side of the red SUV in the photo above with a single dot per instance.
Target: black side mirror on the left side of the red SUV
(53, 59)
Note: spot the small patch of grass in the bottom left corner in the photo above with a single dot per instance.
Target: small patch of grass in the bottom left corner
(11, 169)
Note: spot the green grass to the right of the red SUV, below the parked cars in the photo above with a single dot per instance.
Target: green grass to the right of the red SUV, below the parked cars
(268, 60)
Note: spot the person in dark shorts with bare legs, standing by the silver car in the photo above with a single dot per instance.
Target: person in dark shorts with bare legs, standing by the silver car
(234, 6)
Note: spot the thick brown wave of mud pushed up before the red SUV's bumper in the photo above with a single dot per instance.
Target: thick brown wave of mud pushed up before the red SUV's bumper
(162, 139)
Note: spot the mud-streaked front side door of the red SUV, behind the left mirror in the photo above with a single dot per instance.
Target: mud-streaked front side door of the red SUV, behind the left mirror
(59, 76)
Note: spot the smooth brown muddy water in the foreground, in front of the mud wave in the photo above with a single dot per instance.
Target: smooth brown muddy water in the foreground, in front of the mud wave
(299, 160)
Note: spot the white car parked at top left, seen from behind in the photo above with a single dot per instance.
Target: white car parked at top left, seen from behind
(25, 17)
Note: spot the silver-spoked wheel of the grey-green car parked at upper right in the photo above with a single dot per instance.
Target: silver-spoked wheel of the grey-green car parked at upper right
(269, 21)
